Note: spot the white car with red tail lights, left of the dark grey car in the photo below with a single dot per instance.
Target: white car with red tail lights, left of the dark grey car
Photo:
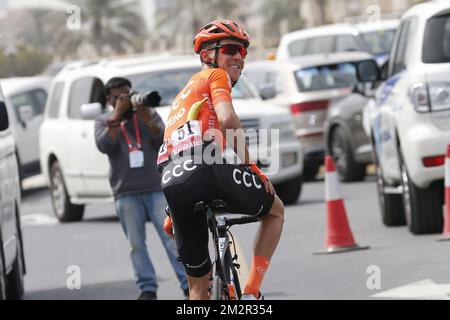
(307, 86)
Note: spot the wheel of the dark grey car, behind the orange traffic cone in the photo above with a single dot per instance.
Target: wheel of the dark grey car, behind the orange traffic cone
(347, 168)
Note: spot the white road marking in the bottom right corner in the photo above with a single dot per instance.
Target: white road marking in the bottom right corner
(424, 289)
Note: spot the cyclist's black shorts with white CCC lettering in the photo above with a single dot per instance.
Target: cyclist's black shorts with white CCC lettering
(185, 183)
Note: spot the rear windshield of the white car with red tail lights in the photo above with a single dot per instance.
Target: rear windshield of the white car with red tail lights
(341, 75)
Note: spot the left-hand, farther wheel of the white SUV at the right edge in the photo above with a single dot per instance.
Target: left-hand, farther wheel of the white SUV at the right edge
(391, 205)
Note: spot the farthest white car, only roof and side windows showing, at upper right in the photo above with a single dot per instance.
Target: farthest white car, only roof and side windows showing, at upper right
(372, 37)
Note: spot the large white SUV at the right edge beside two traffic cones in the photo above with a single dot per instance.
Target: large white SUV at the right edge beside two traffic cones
(409, 122)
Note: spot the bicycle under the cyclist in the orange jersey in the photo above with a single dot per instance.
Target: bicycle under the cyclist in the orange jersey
(224, 278)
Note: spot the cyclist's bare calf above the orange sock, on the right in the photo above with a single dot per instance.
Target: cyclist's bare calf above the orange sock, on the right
(269, 231)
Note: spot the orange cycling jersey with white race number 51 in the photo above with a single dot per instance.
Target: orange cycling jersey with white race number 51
(192, 118)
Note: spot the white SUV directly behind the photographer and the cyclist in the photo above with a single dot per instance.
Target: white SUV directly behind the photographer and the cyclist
(77, 172)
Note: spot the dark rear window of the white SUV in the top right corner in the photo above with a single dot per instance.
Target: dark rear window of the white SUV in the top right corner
(436, 41)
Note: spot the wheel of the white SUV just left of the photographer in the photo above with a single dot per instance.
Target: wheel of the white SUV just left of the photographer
(64, 210)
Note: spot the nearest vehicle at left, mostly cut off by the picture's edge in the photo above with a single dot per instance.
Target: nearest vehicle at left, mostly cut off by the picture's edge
(12, 261)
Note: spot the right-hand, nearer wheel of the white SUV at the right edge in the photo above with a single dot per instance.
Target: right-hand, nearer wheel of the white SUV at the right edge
(423, 206)
